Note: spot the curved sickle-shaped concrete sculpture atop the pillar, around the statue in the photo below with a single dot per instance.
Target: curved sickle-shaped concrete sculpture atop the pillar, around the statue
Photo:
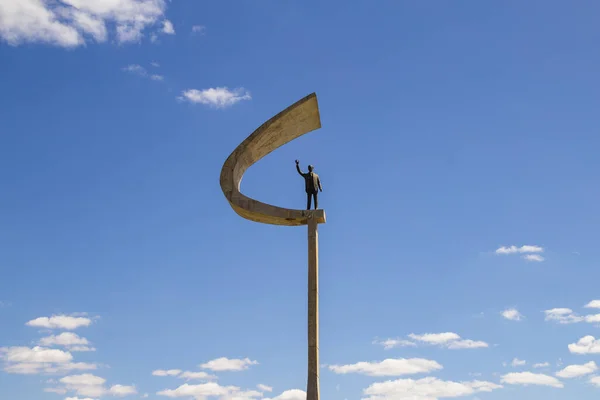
(296, 120)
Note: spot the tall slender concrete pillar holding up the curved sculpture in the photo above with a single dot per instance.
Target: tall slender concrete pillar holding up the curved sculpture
(312, 387)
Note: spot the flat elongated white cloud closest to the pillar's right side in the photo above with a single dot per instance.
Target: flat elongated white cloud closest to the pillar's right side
(389, 367)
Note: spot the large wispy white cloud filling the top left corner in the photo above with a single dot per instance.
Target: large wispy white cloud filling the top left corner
(71, 23)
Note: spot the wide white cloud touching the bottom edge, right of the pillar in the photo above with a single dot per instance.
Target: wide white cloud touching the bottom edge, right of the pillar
(425, 389)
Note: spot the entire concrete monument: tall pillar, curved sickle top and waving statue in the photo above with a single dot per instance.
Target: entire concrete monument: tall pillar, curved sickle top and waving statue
(298, 119)
